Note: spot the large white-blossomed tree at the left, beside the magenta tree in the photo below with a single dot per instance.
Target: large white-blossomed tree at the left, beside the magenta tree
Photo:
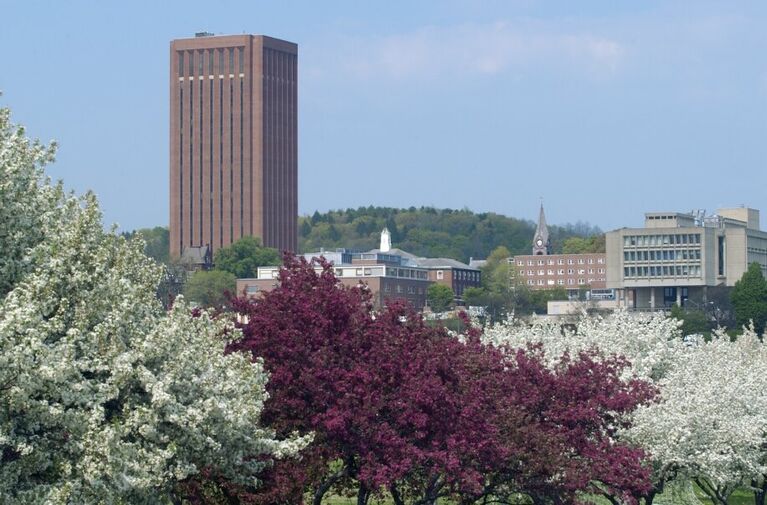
(105, 398)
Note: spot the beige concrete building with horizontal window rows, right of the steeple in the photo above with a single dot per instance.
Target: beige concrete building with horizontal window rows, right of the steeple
(677, 257)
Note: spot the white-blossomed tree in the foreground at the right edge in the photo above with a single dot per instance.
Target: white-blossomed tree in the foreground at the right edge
(711, 421)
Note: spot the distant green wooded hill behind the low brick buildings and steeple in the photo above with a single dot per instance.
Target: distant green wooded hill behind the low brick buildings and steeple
(430, 232)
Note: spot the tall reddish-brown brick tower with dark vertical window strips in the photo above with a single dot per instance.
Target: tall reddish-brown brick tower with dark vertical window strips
(233, 141)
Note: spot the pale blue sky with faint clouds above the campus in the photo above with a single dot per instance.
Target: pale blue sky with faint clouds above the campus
(604, 109)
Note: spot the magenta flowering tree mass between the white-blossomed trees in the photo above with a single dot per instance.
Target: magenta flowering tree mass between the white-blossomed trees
(398, 406)
